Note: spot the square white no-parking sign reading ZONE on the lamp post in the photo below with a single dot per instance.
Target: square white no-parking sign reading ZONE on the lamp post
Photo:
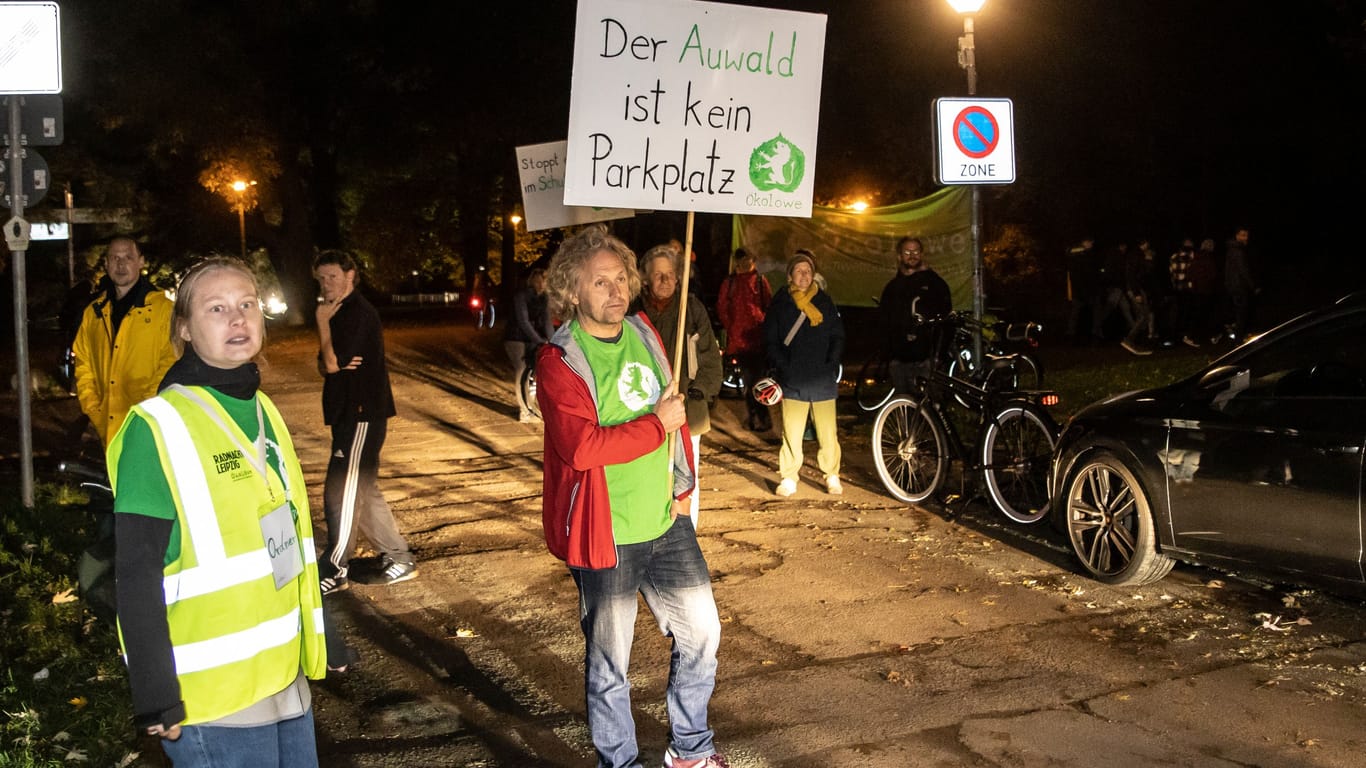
(975, 141)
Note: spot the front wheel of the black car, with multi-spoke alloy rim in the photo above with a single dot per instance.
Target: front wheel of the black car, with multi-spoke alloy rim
(1110, 524)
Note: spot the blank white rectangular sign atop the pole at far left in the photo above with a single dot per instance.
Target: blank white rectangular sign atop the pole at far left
(31, 49)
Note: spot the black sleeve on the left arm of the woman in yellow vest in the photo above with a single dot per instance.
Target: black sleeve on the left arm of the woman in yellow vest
(140, 550)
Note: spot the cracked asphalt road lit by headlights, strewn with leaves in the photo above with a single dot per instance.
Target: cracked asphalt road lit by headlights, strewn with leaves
(859, 632)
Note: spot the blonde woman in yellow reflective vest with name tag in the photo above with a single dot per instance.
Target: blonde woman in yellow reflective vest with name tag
(219, 606)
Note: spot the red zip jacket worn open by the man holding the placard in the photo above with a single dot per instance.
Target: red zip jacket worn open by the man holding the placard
(576, 508)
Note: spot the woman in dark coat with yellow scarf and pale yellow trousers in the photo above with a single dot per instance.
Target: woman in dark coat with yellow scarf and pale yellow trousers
(804, 338)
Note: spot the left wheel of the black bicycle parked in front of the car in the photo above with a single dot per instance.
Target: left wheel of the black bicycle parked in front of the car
(910, 450)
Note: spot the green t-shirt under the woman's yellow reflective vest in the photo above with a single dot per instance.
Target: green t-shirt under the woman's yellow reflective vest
(143, 493)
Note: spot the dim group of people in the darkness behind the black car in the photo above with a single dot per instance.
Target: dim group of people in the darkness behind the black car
(1196, 297)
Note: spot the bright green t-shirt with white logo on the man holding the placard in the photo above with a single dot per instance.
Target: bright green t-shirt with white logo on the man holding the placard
(629, 385)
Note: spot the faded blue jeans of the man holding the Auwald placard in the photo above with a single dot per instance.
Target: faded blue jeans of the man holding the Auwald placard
(673, 577)
